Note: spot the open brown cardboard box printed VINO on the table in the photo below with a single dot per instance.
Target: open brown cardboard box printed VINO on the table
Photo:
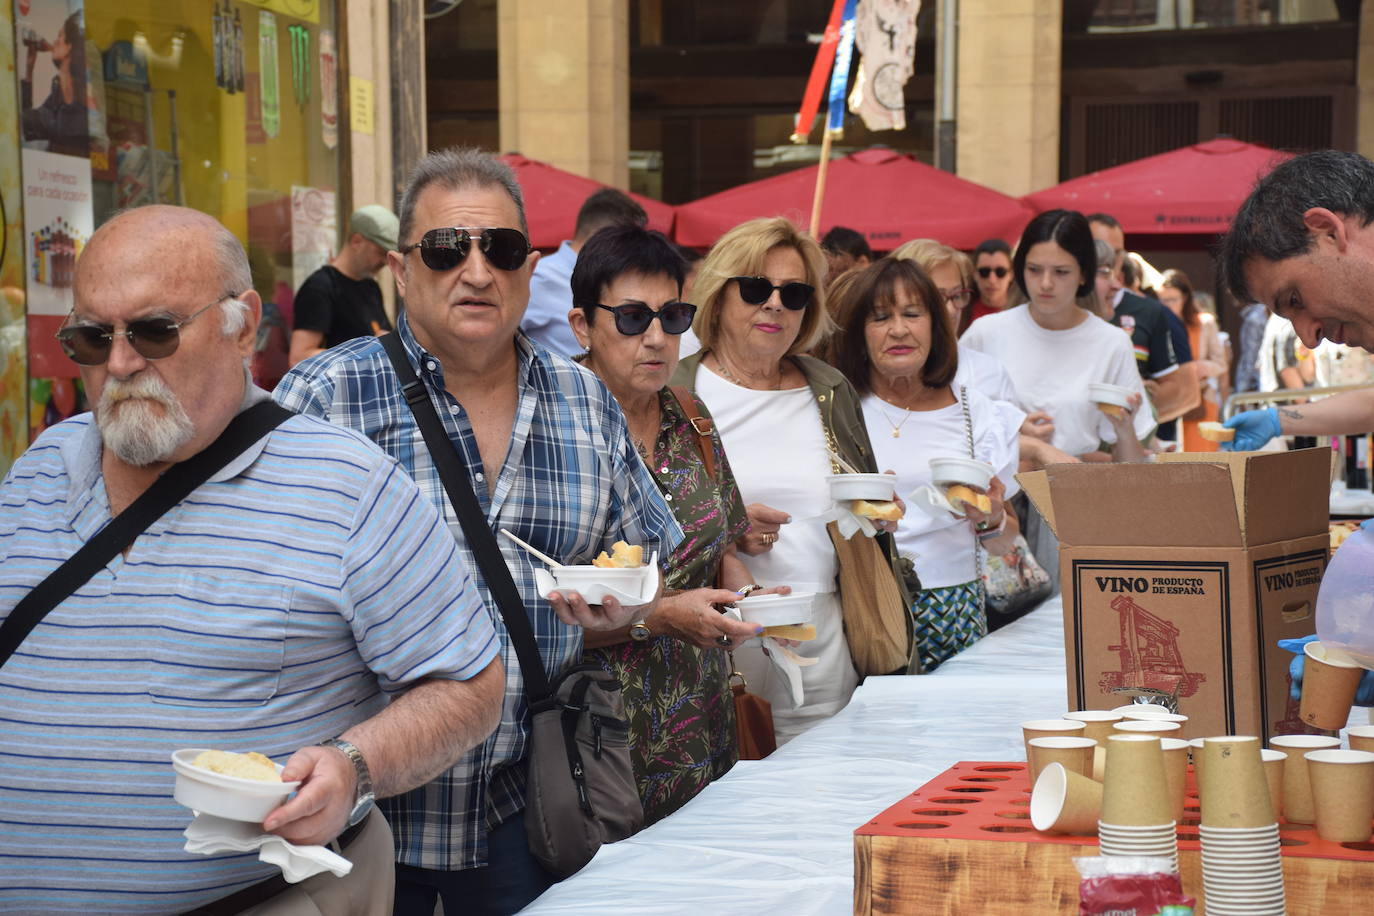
(1185, 573)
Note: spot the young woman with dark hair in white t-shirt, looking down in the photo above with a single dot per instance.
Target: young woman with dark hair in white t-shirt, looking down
(1053, 350)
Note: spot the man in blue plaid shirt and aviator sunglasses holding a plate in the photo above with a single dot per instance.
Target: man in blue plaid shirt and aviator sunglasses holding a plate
(550, 458)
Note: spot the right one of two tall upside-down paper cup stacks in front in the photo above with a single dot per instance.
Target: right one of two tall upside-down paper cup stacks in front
(1243, 871)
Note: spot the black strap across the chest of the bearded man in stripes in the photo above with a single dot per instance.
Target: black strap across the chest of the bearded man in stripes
(175, 485)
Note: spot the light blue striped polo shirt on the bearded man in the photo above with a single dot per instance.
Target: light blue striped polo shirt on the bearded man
(277, 606)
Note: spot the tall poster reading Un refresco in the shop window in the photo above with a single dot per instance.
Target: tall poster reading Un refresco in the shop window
(57, 106)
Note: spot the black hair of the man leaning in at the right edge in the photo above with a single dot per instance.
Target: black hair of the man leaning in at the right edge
(1270, 223)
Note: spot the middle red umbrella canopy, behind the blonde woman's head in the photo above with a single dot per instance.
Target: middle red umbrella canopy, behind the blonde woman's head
(888, 197)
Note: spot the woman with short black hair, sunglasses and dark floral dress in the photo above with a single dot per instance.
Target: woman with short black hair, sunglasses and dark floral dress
(673, 667)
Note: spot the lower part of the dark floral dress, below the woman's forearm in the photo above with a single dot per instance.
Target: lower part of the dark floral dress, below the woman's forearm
(682, 718)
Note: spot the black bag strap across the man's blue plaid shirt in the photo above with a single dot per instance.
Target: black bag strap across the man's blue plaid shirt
(476, 529)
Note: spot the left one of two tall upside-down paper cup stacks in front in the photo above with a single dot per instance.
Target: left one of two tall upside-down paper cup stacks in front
(1137, 811)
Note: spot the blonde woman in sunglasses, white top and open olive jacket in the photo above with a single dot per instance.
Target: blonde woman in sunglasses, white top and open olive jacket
(781, 414)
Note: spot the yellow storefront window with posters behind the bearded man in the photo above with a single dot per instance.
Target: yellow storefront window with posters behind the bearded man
(230, 108)
